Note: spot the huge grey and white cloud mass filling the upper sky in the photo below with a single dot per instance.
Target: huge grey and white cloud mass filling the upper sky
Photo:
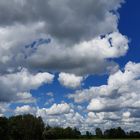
(83, 21)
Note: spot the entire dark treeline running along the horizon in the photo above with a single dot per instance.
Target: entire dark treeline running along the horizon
(29, 127)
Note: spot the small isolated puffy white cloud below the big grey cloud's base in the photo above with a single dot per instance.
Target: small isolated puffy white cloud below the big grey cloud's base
(70, 80)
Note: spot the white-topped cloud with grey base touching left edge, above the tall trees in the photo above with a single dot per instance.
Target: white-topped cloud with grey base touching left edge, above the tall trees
(16, 86)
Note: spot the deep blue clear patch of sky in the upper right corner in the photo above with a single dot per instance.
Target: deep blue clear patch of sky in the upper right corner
(129, 25)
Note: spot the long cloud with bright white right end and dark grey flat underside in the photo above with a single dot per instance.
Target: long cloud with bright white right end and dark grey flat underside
(84, 58)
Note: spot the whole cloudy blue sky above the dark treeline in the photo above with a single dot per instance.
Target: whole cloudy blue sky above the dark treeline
(74, 63)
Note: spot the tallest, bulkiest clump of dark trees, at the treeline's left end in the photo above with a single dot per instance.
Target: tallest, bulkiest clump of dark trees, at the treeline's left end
(22, 127)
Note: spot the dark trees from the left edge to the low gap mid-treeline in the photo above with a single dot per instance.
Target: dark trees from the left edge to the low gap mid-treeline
(29, 127)
